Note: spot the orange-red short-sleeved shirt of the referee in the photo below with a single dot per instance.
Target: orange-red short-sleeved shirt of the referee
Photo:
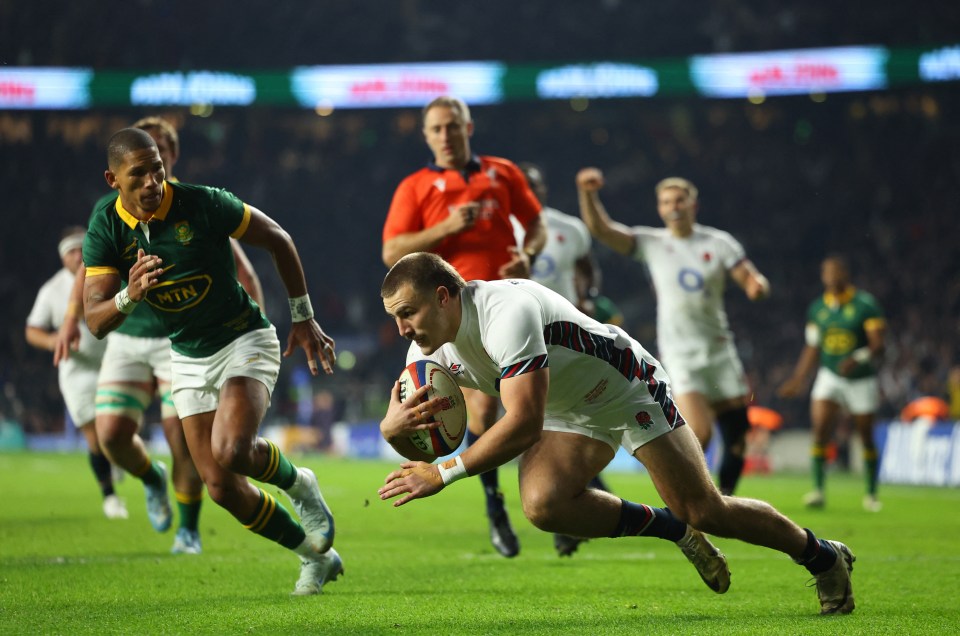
(426, 197)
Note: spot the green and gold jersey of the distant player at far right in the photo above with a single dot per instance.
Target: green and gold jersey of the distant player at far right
(841, 322)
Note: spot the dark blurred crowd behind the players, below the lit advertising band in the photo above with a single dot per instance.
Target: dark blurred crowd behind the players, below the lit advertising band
(872, 176)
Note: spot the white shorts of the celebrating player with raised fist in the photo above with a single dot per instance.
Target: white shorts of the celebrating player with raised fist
(717, 375)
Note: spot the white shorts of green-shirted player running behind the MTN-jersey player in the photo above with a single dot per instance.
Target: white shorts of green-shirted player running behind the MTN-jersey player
(135, 359)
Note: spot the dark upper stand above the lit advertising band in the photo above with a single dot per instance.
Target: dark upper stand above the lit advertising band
(177, 34)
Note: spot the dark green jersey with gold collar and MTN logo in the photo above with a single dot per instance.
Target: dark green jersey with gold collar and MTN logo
(198, 301)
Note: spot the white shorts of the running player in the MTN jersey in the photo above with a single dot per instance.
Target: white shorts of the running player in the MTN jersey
(197, 381)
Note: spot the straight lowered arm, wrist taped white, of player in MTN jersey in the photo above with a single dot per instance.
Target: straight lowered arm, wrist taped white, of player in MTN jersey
(305, 333)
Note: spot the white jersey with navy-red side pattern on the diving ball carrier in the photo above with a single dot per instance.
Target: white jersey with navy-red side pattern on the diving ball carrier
(514, 326)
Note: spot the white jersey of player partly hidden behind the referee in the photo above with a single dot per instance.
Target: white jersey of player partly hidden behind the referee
(568, 240)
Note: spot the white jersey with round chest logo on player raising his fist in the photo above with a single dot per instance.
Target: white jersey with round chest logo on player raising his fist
(689, 277)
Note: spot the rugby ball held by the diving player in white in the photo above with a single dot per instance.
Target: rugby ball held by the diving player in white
(452, 415)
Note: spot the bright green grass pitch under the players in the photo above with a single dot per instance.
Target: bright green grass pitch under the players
(427, 568)
